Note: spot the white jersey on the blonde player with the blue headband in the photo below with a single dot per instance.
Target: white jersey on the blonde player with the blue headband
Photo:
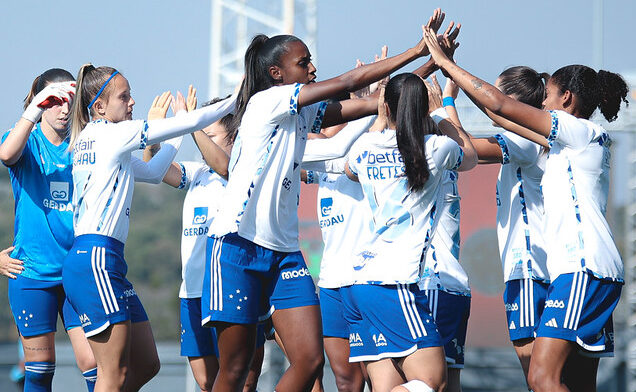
(104, 172)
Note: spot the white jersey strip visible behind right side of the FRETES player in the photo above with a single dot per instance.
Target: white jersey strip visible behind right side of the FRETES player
(441, 269)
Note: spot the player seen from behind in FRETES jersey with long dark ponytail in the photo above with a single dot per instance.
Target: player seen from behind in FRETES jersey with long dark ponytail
(400, 170)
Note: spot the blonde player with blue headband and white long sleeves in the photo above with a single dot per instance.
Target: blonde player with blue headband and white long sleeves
(94, 273)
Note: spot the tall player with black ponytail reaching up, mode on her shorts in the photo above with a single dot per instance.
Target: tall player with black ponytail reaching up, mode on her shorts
(256, 266)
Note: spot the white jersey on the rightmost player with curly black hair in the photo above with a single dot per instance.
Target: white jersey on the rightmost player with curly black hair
(575, 188)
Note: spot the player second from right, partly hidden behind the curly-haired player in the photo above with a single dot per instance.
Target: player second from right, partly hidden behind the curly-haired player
(520, 211)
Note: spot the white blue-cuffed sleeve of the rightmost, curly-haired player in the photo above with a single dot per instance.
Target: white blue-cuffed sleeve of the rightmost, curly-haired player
(569, 131)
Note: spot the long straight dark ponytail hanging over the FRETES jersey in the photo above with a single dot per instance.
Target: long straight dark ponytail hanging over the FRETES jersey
(407, 98)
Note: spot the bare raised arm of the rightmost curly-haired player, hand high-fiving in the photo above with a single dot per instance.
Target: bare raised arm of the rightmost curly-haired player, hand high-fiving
(487, 95)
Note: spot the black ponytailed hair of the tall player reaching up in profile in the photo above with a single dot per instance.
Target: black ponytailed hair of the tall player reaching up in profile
(262, 53)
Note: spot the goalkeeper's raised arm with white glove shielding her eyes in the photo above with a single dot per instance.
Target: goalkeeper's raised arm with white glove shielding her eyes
(54, 94)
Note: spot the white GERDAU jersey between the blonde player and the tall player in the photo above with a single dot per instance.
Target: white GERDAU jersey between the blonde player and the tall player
(202, 201)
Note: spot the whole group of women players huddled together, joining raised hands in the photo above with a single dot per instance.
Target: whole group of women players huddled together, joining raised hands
(393, 301)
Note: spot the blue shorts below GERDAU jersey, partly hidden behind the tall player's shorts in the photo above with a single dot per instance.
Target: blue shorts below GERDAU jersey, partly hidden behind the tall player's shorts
(196, 341)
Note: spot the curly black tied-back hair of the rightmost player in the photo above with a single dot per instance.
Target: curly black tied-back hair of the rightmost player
(604, 90)
